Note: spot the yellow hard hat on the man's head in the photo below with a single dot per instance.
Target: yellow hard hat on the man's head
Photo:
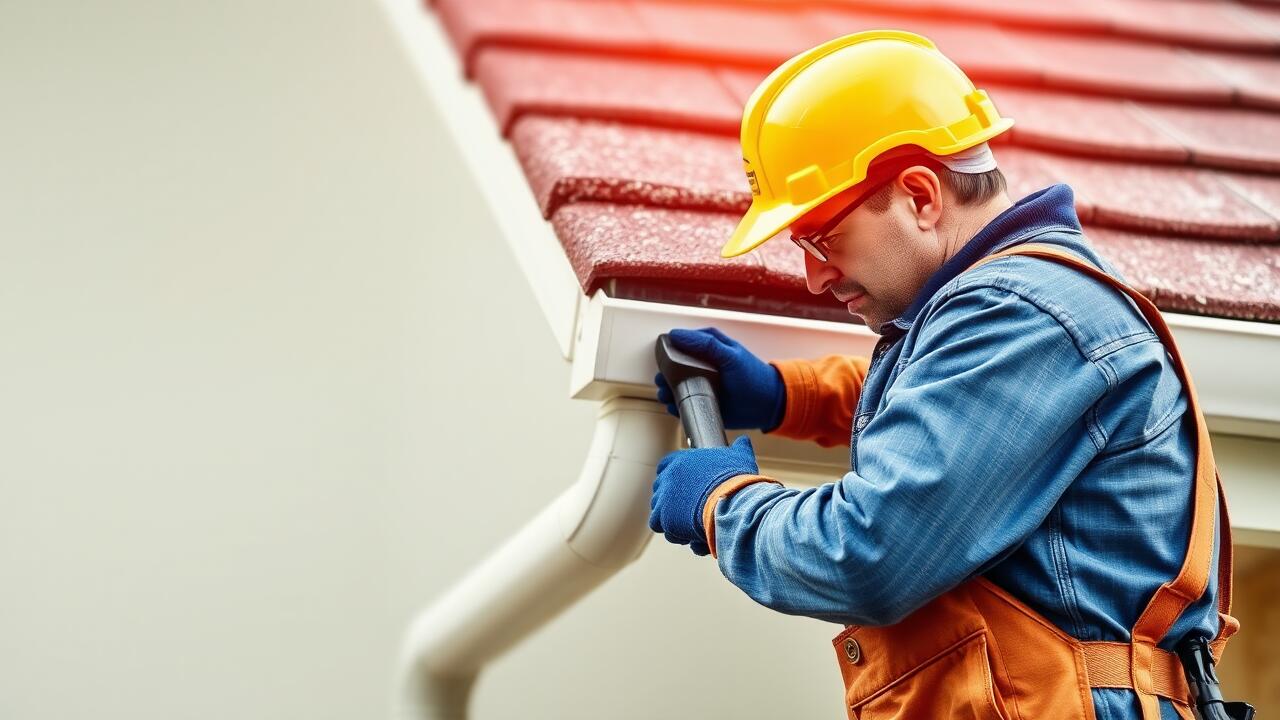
(813, 127)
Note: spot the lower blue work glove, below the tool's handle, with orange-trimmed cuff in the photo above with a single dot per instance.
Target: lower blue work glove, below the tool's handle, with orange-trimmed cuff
(687, 480)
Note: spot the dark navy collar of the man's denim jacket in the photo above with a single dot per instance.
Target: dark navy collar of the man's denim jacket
(1050, 209)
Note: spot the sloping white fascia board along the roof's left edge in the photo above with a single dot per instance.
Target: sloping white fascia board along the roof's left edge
(495, 170)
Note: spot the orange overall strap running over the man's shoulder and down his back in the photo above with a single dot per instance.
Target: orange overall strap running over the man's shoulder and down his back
(1173, 598)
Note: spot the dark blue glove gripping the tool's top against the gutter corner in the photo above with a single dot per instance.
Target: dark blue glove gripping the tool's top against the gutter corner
(752, 395)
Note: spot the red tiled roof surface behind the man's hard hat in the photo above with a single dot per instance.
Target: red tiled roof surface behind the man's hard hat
(1164, 116)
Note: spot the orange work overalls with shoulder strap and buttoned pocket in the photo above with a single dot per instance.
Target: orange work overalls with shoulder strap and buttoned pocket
(977, 653)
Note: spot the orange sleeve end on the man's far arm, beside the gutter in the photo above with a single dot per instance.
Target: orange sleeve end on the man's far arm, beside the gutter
(821, 398)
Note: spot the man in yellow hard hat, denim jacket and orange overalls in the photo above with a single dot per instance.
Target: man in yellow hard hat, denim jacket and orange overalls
(1027, 467)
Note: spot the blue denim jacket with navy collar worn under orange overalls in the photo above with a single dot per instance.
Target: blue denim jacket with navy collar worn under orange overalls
(1020, 422)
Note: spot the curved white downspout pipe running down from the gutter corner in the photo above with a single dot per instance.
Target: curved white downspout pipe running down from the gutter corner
(587, 535)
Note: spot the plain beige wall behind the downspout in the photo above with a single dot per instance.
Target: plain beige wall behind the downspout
(269, 381)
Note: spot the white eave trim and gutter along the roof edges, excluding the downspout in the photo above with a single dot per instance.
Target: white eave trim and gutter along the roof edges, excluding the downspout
(610, 340)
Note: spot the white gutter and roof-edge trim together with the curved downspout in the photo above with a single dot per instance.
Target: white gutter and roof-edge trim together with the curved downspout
(600, 525)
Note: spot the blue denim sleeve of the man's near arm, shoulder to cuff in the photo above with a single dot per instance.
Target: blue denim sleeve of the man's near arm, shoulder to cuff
(981, 434)
